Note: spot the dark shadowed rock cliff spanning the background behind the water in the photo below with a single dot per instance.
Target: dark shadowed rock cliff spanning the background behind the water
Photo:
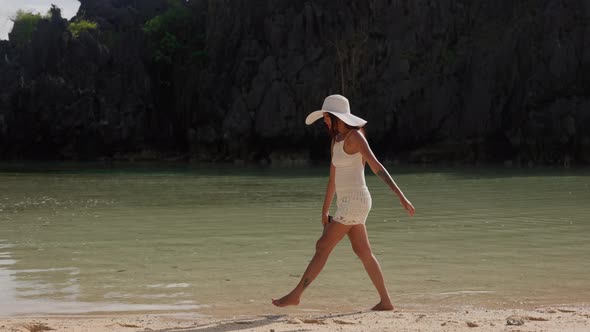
(446, 80)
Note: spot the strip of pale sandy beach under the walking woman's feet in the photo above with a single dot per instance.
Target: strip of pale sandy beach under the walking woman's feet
(549, 318)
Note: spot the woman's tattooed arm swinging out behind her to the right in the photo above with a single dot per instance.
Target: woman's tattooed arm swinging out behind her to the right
(358, 143)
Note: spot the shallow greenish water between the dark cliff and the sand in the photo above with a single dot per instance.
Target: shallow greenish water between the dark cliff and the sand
(87, 237)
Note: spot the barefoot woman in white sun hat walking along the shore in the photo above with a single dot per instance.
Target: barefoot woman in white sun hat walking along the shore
(350, 152)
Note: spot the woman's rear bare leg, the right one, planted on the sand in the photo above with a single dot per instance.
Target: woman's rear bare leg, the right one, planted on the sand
(361, 246)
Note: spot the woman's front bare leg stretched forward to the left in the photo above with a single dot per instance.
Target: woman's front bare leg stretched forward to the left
(333, 233)
